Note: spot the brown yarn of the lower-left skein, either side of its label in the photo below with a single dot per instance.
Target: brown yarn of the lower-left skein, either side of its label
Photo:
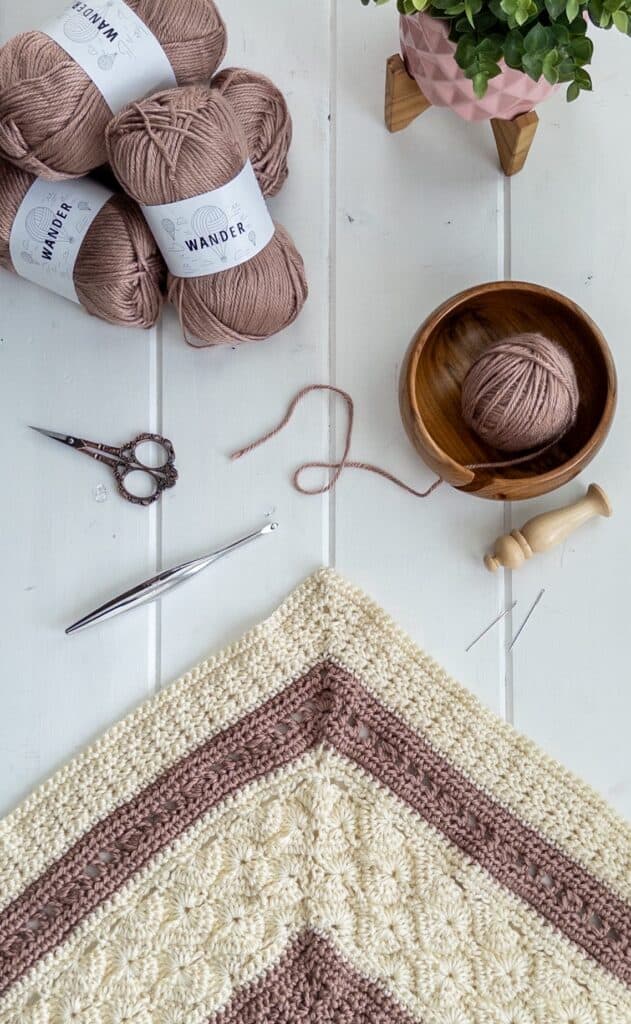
(119, 275)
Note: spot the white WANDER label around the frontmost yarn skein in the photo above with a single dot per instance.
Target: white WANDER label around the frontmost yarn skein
(216, 232)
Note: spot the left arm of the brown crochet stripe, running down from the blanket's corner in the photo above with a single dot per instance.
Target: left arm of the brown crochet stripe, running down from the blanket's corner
(116, 848)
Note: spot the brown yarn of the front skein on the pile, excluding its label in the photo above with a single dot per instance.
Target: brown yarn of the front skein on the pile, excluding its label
(182, 144)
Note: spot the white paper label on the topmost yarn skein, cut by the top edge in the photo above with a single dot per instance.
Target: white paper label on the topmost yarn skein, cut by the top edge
(115, 49)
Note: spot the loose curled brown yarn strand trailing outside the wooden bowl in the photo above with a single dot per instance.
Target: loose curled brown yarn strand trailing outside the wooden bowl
(338, 467)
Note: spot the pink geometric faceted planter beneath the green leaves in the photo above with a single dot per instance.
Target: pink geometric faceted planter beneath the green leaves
(429, 55)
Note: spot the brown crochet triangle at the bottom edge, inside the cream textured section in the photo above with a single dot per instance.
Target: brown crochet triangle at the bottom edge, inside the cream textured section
(313, 984)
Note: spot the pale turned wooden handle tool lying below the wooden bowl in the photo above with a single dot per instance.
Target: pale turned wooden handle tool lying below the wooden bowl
(546, 531)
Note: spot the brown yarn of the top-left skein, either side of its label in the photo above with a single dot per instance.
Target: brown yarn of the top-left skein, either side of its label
(54, 118)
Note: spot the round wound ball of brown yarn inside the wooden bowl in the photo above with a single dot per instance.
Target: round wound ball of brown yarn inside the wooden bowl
(522, 394)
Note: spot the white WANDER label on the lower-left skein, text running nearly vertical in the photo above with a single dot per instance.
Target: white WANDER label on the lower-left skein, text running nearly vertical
(50, 230)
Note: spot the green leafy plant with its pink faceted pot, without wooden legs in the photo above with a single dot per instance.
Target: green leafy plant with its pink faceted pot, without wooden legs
(520, 50)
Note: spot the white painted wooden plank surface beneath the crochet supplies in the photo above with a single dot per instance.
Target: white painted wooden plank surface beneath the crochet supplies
(390, 227)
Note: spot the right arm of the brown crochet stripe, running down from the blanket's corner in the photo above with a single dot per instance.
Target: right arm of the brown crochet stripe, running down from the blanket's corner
(562, 891)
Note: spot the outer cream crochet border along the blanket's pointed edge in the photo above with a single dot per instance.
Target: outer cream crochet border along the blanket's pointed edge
(324, 618)
